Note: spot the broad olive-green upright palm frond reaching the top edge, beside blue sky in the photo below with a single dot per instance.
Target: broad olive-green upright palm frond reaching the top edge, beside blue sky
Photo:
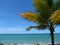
(42, 8)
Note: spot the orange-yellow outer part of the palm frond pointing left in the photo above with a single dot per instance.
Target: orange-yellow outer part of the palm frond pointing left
(30, 16)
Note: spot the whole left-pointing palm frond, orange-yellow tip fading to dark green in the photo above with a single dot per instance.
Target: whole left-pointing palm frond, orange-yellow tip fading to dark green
(33, 17)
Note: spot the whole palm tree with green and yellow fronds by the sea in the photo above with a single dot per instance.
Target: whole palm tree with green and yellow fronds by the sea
(47, 16)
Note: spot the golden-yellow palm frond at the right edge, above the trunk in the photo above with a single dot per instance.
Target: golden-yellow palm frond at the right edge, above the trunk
(55, 17)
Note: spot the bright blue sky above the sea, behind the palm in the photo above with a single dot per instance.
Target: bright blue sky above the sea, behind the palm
(11, 22)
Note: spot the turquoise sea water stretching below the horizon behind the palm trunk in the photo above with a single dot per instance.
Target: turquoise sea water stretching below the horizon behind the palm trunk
(28, 38)
